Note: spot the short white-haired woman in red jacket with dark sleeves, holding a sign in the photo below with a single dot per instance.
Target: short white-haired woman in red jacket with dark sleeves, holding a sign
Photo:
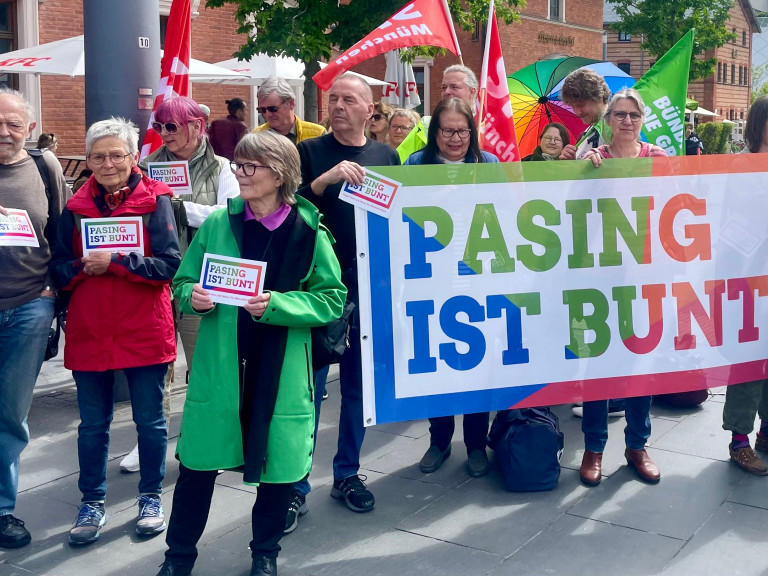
(119, 316)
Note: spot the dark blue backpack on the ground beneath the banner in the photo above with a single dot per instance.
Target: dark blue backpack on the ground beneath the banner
(528, 445)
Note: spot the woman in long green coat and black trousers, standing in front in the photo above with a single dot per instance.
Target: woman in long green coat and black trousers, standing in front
(250, 403)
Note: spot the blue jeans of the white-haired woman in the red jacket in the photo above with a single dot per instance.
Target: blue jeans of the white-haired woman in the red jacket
(96, 402)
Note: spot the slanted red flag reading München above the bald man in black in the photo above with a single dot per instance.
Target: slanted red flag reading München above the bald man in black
(418, 23)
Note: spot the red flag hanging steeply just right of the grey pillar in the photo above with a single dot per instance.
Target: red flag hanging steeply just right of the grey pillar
(174, 67)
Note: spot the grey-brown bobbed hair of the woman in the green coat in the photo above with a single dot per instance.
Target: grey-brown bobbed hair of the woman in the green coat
(277, 152)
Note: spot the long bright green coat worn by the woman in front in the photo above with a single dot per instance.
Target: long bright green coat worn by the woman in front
(210, 436)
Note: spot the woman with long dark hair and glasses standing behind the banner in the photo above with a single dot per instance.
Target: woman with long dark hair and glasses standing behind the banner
(452, 139)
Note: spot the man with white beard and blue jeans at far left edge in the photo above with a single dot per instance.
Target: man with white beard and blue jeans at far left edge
(27, 294)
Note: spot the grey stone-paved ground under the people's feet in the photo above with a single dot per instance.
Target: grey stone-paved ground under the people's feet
(705, 517)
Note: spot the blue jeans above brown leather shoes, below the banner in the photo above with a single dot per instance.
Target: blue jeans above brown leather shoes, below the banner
(595, 423)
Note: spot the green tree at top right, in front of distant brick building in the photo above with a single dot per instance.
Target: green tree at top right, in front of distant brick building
(663, 22)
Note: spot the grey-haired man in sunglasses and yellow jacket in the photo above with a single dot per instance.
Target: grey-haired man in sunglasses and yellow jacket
(276, 104)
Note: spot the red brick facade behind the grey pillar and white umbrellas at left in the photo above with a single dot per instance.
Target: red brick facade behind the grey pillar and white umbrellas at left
(60, 100)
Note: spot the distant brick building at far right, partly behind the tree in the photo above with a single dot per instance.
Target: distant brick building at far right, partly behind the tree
(727, 91)
